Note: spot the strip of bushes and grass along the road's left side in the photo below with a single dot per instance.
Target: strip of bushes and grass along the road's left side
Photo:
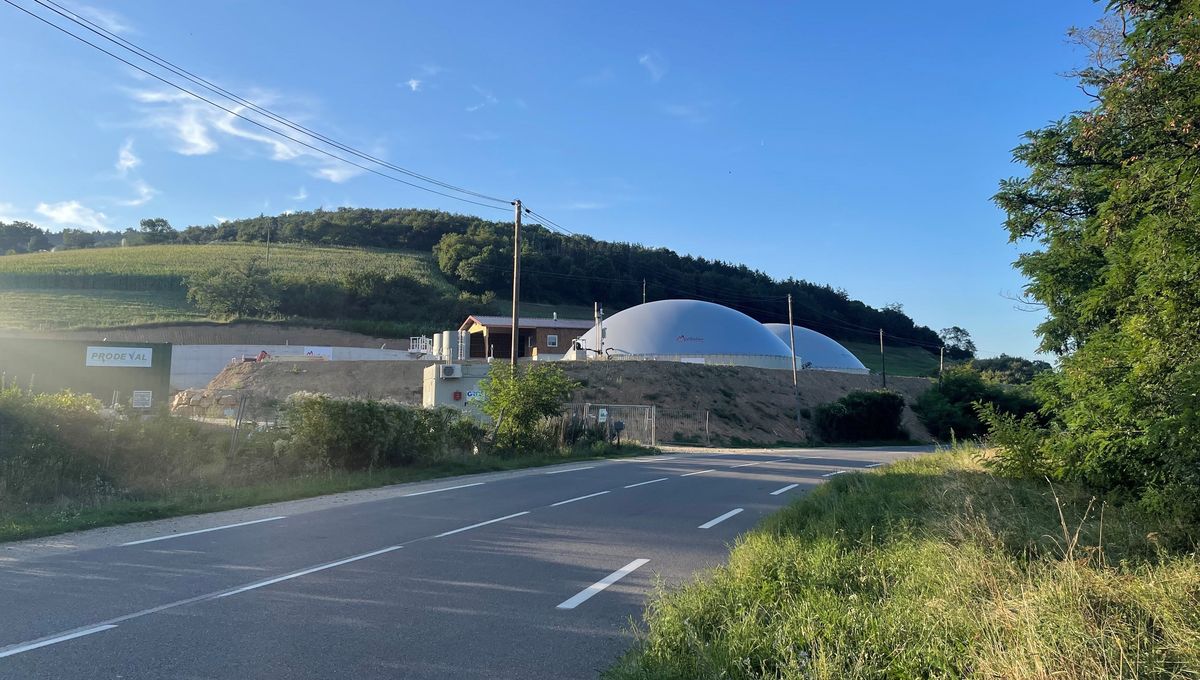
(68, 464)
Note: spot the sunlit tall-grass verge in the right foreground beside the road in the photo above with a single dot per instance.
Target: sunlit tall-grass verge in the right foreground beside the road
(935, 569)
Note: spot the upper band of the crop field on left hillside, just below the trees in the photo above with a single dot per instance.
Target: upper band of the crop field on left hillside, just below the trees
(158, 268)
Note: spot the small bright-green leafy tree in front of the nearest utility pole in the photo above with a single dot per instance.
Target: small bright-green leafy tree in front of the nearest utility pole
(518, 400)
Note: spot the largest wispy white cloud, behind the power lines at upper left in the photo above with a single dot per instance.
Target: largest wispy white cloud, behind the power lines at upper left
(196, 129)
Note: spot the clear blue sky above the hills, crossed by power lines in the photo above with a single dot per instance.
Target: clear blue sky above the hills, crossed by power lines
(857, 148)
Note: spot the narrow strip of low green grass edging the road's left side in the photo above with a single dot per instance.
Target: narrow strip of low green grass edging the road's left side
(67, 517)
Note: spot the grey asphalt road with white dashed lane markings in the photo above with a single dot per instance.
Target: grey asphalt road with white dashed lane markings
(536, 574)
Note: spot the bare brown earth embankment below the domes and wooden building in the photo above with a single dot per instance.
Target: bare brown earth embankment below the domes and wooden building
(749, 406)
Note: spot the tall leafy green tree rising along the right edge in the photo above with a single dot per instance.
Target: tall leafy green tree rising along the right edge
(1111, 206)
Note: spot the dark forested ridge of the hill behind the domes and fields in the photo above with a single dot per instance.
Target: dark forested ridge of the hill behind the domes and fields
(477, 257)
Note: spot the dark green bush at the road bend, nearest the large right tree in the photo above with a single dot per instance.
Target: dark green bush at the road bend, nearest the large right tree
(949, 408)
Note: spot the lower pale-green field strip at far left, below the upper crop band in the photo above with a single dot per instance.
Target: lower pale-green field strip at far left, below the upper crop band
(55, 310)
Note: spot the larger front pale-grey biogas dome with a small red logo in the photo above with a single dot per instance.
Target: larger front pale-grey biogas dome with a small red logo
(689, 330)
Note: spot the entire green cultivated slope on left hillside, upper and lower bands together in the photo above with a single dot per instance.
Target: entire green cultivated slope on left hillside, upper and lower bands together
(119, 287)
